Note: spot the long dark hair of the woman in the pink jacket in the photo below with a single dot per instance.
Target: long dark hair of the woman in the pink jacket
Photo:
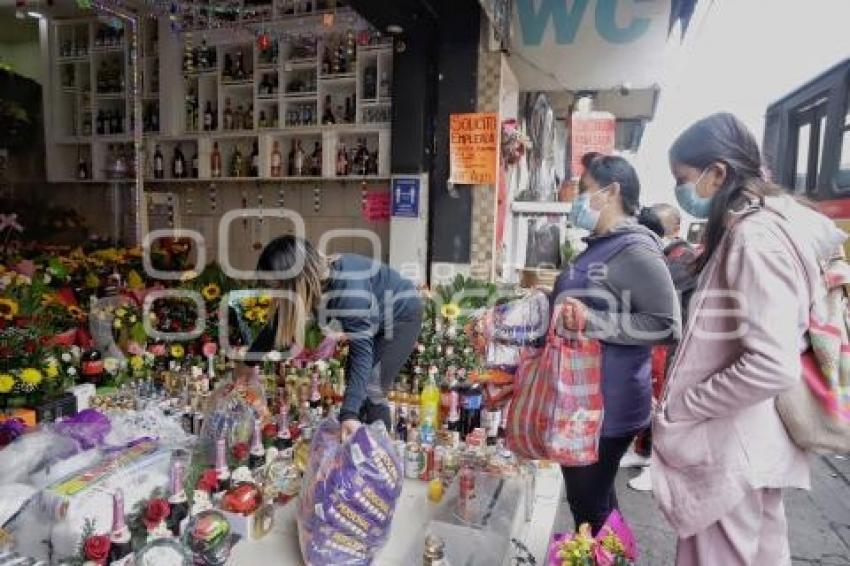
(723, 138)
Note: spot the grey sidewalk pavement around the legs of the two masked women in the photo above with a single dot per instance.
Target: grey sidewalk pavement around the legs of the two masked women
(819, 520)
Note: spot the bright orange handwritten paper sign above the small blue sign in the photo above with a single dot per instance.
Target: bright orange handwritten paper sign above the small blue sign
(473, 144)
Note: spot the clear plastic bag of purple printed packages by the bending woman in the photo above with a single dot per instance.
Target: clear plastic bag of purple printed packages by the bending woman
(349, 496)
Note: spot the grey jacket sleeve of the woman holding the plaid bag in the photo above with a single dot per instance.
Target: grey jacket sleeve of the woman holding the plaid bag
(647, 306)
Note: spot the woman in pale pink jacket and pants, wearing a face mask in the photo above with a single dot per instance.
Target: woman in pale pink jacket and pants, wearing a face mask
(721, 455)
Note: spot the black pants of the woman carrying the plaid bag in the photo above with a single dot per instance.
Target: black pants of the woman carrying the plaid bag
(590, 489)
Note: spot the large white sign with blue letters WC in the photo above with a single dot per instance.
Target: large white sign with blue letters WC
(592, 44)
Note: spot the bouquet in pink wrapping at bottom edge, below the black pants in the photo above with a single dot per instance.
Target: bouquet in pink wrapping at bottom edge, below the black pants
(614, 545)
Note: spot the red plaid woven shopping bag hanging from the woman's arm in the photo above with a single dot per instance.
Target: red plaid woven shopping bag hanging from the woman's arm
(556, 413)
